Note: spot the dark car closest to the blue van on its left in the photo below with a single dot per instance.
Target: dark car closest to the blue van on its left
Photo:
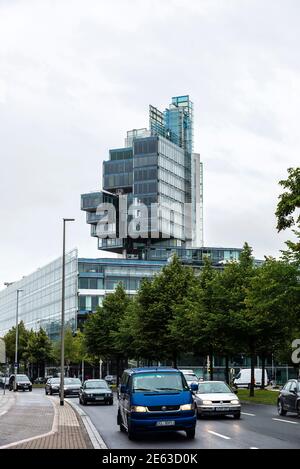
(95, 390)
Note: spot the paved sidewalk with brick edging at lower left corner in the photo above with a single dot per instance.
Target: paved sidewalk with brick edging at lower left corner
(39, 422)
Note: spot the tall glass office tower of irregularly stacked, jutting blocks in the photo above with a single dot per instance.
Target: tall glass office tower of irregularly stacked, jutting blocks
(154, 183)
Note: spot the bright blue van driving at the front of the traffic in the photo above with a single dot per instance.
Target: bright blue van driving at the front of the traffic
(156, 399)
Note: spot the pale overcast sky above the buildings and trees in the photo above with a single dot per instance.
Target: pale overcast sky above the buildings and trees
(76, 74)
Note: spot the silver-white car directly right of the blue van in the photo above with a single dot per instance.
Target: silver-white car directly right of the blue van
(216, 398)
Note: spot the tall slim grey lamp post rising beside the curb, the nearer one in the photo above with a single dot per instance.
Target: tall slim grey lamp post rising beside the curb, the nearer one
(62, 334)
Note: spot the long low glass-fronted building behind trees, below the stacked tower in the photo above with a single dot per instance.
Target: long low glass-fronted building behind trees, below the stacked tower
(87, 283)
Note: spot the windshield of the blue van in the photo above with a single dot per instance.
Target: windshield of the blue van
(158, 382)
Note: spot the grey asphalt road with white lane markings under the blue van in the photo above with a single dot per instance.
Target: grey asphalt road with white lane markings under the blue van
(259, 427)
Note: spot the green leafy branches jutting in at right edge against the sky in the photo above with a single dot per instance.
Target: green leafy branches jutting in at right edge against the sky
(286, 213)
